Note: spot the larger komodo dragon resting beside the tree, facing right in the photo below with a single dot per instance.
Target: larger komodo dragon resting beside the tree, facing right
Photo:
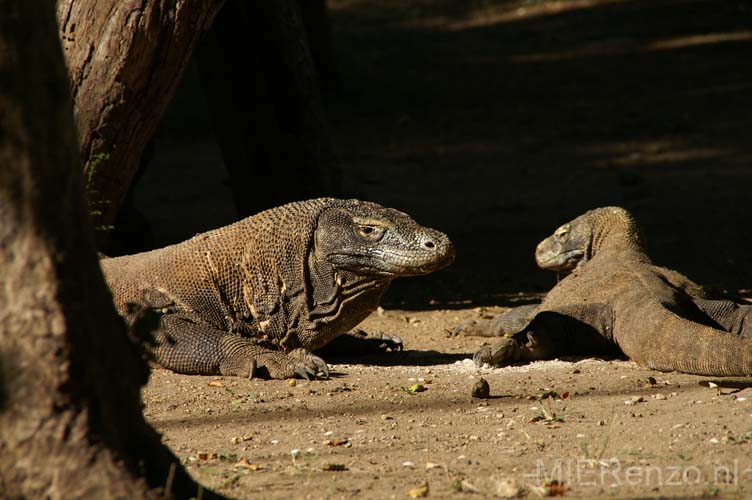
(261, 294)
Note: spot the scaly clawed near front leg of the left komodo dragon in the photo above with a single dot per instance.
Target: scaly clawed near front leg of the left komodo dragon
(195, 348)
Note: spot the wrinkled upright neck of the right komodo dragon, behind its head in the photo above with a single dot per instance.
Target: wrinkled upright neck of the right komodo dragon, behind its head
(614, 233)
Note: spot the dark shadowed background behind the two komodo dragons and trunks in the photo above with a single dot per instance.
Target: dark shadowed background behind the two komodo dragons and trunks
(496, 121)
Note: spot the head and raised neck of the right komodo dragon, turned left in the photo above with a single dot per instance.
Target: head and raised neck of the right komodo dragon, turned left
(576, 242)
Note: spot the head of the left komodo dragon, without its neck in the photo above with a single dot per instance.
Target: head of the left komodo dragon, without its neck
(367, 239)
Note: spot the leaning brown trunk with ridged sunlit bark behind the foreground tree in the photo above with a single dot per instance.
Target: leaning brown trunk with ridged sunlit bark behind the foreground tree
(125, 59)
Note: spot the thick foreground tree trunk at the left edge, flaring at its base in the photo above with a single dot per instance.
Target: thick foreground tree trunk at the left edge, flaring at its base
(70, 416)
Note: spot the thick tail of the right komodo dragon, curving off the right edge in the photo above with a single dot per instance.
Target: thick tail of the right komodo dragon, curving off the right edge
(666, 342)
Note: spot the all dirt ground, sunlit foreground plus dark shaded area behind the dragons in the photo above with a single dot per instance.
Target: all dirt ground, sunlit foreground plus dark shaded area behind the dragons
(494, 121)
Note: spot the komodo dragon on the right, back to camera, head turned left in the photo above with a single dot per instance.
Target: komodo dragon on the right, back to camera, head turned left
(616, 299)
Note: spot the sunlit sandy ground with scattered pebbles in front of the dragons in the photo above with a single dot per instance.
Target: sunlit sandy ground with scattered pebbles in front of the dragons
(605, 428)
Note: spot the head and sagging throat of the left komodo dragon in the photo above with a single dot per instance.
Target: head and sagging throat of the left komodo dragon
(355, 250)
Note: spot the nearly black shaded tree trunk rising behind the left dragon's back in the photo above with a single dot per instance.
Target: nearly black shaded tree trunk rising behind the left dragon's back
(263, 95)
